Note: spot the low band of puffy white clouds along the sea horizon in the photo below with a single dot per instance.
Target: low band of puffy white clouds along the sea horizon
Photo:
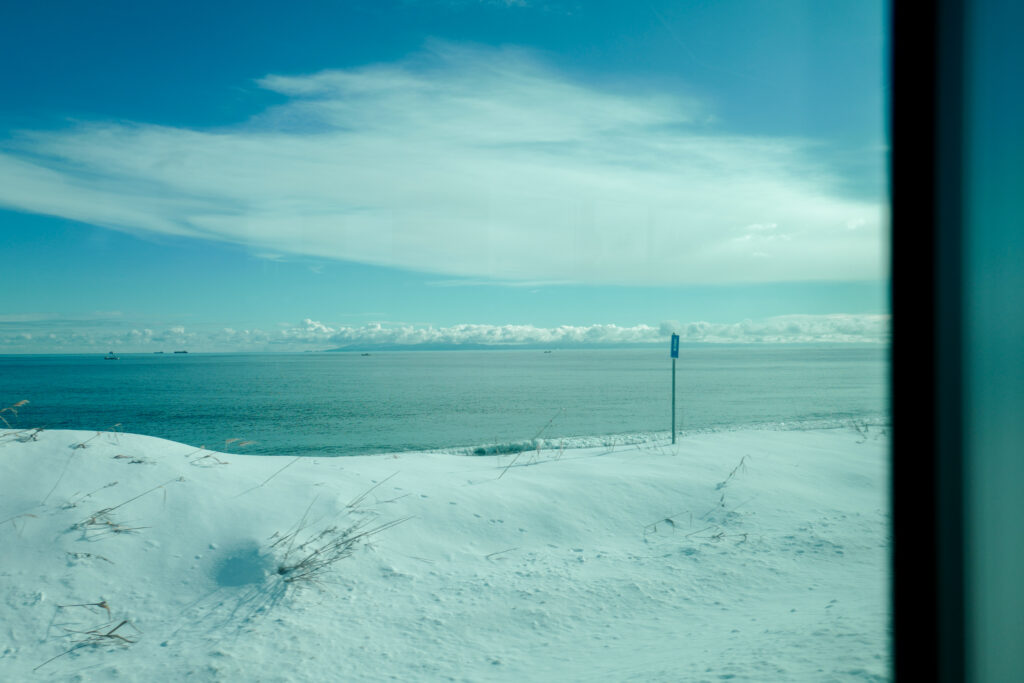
(40, 335)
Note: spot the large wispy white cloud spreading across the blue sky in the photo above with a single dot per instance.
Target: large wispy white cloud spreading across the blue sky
(474, 163)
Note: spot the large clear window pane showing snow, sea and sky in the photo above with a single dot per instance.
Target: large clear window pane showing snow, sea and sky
(336, 340)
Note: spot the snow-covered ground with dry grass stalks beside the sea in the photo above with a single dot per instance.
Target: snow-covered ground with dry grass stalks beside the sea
(748, 556)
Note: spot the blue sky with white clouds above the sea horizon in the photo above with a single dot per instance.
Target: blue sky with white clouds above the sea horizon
(250, 177)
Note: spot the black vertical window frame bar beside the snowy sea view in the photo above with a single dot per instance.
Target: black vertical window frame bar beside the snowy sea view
(927, 108)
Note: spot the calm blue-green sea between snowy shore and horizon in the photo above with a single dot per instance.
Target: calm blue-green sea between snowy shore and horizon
(348, 404)
